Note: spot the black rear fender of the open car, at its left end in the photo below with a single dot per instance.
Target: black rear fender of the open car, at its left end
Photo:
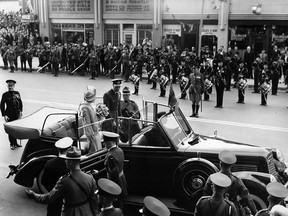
(30, 170)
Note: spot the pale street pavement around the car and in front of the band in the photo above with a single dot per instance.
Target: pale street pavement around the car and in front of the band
(249, 122)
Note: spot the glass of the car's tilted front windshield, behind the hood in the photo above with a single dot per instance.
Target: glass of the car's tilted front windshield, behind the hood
(173, 128)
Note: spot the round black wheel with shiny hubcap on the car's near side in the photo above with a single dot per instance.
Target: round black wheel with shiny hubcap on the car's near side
(190, 176)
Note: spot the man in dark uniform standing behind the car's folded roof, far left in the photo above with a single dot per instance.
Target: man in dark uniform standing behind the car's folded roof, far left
(11, 108)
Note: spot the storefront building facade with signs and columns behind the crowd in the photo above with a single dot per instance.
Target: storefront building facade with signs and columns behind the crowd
(189, 22)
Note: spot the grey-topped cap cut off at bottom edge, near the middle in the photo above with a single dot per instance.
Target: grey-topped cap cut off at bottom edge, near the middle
(154, 207)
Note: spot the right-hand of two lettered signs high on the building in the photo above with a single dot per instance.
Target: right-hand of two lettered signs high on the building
(128, 6)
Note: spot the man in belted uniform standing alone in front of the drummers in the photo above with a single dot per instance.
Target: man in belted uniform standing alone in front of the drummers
(196, 89)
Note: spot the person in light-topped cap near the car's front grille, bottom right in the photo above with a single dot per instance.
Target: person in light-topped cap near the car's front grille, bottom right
(277, 193)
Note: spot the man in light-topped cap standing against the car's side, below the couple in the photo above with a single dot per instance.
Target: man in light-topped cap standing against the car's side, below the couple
(114, 163)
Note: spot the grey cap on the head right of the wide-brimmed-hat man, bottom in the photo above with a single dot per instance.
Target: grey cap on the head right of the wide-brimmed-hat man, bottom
(108, 187)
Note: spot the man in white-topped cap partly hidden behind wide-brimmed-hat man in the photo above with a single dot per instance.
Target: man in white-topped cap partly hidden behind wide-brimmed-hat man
(53, 170)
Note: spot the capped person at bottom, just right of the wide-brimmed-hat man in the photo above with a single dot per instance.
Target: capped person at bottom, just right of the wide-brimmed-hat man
(108, 192)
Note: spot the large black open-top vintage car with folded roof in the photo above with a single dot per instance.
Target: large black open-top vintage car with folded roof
(166, 158)
